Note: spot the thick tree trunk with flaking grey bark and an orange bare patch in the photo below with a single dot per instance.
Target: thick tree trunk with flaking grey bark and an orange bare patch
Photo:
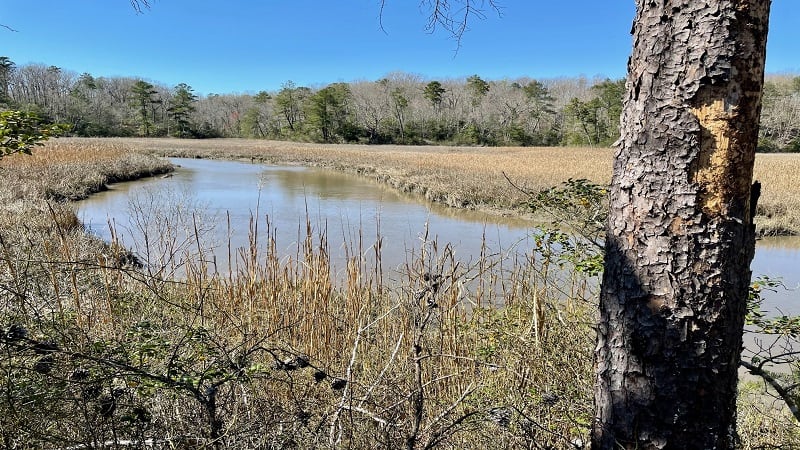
(680, 236)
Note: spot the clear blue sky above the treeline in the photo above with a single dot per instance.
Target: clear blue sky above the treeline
(228, 46)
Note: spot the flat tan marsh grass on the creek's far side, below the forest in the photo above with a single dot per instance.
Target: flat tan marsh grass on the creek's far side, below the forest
(473, 177)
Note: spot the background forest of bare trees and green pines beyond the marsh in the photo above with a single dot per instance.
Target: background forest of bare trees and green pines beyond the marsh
(400, 108)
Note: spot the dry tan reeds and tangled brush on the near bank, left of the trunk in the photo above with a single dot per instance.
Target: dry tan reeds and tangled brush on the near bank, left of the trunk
(291, 353)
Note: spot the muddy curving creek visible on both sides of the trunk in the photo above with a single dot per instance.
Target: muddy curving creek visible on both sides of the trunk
(217, 199)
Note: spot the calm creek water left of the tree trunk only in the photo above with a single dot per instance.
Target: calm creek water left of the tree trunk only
(347, 208)
